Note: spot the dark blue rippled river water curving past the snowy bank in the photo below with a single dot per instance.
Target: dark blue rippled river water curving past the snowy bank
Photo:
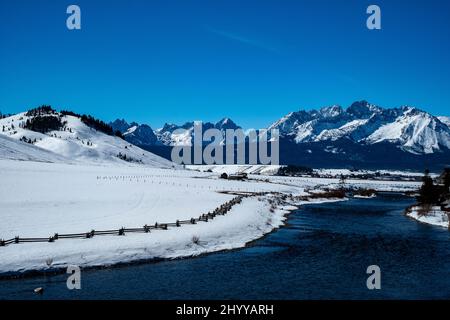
(322, 253)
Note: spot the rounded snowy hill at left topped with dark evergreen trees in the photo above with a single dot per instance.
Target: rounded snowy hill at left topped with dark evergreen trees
(74, 140)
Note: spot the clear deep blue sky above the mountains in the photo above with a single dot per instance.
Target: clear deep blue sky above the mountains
(158, 61)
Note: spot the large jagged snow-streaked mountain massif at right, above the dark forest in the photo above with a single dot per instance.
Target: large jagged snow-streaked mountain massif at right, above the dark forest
(413, 130)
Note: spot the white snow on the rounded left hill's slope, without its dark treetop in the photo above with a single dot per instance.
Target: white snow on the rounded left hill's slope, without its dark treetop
(79, 142)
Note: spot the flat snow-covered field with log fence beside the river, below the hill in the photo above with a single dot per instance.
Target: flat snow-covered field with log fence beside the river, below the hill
(39, 199)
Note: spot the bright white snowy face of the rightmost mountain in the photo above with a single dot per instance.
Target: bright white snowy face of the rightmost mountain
(416, 131)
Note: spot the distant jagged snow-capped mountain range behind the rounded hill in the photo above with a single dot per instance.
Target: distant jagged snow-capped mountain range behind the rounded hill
(408, 128)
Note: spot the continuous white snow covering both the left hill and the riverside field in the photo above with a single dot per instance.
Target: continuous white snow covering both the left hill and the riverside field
(72, 181)
